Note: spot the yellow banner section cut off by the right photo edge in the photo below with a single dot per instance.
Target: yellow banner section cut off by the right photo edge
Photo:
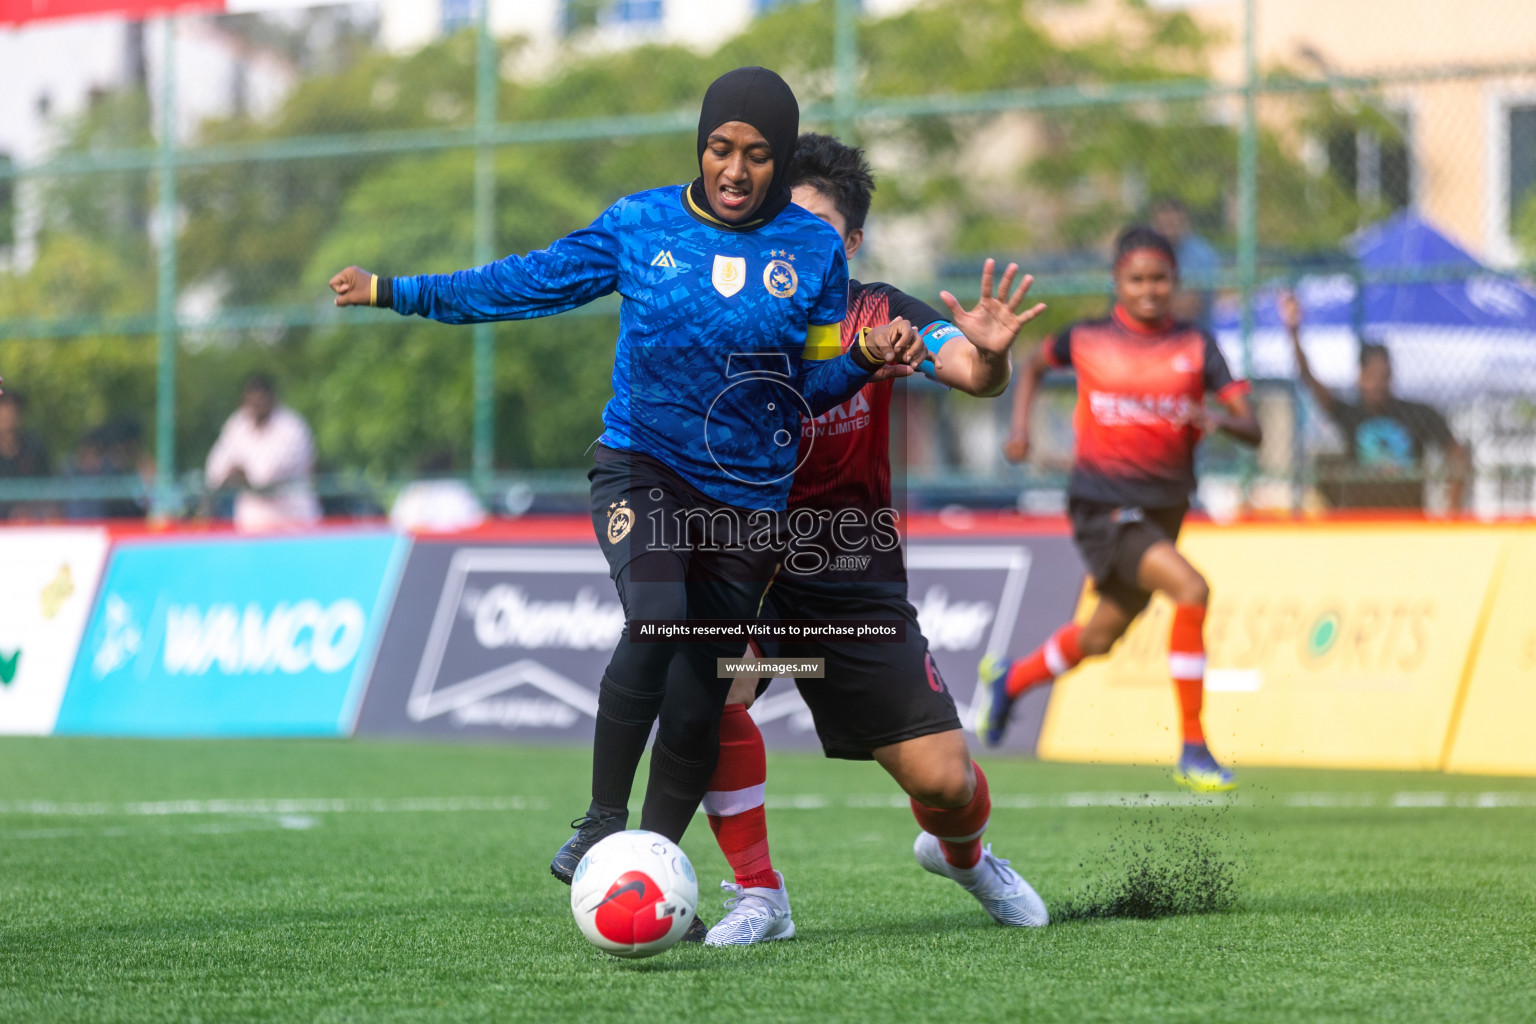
(1495, 728)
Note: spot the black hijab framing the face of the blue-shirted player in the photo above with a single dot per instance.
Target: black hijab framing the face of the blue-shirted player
(758, 97)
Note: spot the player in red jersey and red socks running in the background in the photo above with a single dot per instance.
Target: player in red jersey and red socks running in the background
(1142, 383)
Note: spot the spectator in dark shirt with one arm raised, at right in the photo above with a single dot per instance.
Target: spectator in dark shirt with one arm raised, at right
(1386, 440)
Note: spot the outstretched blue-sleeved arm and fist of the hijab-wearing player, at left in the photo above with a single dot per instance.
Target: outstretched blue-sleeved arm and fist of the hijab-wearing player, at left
(571, 273)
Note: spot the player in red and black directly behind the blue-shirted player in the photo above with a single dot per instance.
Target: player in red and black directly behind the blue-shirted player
(878, 701)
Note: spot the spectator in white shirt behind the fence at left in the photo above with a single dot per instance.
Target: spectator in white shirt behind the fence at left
(266, 454)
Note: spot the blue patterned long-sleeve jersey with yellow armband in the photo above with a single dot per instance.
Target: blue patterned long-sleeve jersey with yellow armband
(727, 339)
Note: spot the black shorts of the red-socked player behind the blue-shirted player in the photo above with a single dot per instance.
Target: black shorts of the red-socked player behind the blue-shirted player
(875, 693)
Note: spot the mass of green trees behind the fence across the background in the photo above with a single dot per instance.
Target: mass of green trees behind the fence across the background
(263, 237)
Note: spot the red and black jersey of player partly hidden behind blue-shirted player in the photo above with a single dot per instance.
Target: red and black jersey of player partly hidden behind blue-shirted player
(846, 454)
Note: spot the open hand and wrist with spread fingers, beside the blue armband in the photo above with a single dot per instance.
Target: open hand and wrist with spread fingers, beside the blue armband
(981, 368)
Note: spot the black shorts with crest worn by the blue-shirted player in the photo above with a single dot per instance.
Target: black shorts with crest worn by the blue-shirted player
(641, 506)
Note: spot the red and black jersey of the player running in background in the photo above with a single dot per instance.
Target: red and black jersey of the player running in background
(1136, 389)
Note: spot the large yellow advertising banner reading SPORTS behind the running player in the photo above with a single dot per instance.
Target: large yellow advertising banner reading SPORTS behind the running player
(1328, 646)
